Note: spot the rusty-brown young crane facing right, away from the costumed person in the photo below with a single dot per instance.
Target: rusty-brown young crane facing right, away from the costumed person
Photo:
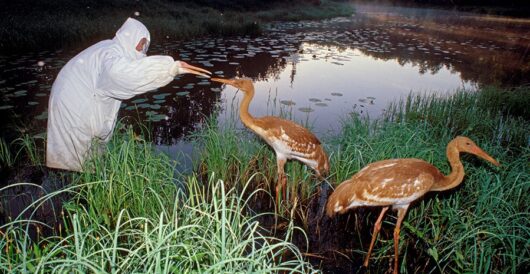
(399, 182)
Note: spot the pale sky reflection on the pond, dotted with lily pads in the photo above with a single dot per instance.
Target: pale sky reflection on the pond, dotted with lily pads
(330, 83)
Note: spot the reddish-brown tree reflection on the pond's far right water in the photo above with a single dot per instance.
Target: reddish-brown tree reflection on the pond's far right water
(486, 52)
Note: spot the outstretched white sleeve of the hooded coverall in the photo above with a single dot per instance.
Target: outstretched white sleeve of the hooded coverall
(122, 78)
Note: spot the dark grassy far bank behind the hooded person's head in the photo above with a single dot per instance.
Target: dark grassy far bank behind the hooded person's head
(57, 24)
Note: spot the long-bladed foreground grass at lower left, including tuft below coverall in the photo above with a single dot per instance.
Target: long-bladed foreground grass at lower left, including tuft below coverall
(128, 214)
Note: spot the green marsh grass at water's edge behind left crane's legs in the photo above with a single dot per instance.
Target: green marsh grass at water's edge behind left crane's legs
(237, 155)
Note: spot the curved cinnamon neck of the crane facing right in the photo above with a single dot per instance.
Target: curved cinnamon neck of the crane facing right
(456, 176)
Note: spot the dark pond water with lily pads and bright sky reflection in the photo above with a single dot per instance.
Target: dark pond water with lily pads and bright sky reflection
(313, 72)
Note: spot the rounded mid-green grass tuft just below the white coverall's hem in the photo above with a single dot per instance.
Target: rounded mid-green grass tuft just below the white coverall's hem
(129, 176)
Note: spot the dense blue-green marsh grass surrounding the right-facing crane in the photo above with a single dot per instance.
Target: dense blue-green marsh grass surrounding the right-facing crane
(480, 227)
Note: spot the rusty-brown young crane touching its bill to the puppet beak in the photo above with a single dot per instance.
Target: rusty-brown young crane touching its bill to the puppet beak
(288, 139)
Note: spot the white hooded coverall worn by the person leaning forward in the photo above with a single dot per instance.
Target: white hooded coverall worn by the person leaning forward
(86, 96)
